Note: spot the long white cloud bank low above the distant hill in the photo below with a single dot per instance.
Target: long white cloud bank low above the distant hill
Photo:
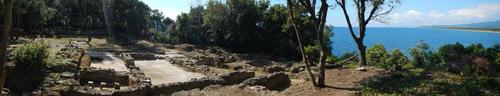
(484, 12)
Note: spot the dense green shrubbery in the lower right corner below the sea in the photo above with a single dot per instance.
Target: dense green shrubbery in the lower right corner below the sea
(452, 70)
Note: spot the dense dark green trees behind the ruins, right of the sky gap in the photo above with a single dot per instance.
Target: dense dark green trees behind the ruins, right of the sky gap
(249, 26)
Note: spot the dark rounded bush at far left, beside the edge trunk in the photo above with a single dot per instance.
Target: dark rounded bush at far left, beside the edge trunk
(30, 60)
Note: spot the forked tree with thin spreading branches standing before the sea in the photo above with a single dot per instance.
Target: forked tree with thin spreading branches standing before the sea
(378, 9)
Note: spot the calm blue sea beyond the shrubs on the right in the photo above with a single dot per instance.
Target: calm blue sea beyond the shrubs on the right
(406, 38)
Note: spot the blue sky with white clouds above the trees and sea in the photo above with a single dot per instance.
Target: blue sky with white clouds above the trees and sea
(410, 13)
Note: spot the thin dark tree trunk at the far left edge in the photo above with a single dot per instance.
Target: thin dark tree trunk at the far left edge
(4, 40)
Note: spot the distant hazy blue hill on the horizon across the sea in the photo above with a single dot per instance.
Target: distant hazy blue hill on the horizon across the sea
(480, 25)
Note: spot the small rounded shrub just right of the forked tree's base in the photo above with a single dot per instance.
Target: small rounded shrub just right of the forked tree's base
(377, 56)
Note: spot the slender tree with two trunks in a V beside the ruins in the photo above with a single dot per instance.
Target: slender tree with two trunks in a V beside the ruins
(319, 25)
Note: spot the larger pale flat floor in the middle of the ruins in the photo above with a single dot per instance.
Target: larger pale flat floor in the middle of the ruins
(162, 72)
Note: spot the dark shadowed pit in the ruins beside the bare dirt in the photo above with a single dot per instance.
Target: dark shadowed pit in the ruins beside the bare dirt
(274, 81)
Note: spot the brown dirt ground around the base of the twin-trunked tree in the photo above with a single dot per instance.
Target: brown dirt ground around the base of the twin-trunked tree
(340, 82)
